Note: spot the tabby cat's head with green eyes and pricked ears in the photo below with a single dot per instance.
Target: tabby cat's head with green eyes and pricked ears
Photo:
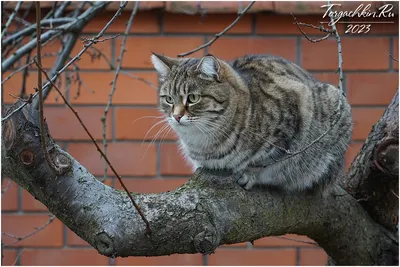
(194, 93)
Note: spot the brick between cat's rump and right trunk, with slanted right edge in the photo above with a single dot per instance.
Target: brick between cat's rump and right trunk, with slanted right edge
(364, 119)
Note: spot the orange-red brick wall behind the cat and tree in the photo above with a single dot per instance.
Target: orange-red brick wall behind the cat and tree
(370, 81)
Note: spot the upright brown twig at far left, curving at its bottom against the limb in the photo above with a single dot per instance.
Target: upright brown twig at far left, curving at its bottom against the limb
(55, 168)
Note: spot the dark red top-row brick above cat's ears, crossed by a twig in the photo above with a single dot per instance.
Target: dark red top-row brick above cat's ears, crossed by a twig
(212, 23)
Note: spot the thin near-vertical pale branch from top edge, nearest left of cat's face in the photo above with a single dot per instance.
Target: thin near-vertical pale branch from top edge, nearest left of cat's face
(114, 82)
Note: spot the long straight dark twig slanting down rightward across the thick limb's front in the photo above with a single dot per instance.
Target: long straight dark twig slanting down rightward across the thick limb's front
(100, 151)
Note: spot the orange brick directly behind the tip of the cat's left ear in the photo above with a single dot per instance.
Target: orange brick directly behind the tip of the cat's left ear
(139, 49)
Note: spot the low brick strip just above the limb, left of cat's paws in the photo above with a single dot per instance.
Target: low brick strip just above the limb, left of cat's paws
(148, 186)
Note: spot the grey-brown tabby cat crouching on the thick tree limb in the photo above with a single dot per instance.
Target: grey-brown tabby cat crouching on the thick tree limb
(249, 116)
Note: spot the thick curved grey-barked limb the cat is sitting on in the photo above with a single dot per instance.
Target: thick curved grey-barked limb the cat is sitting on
(208, 211)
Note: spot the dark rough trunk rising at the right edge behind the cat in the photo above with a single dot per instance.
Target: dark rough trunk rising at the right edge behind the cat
(374, 175)
